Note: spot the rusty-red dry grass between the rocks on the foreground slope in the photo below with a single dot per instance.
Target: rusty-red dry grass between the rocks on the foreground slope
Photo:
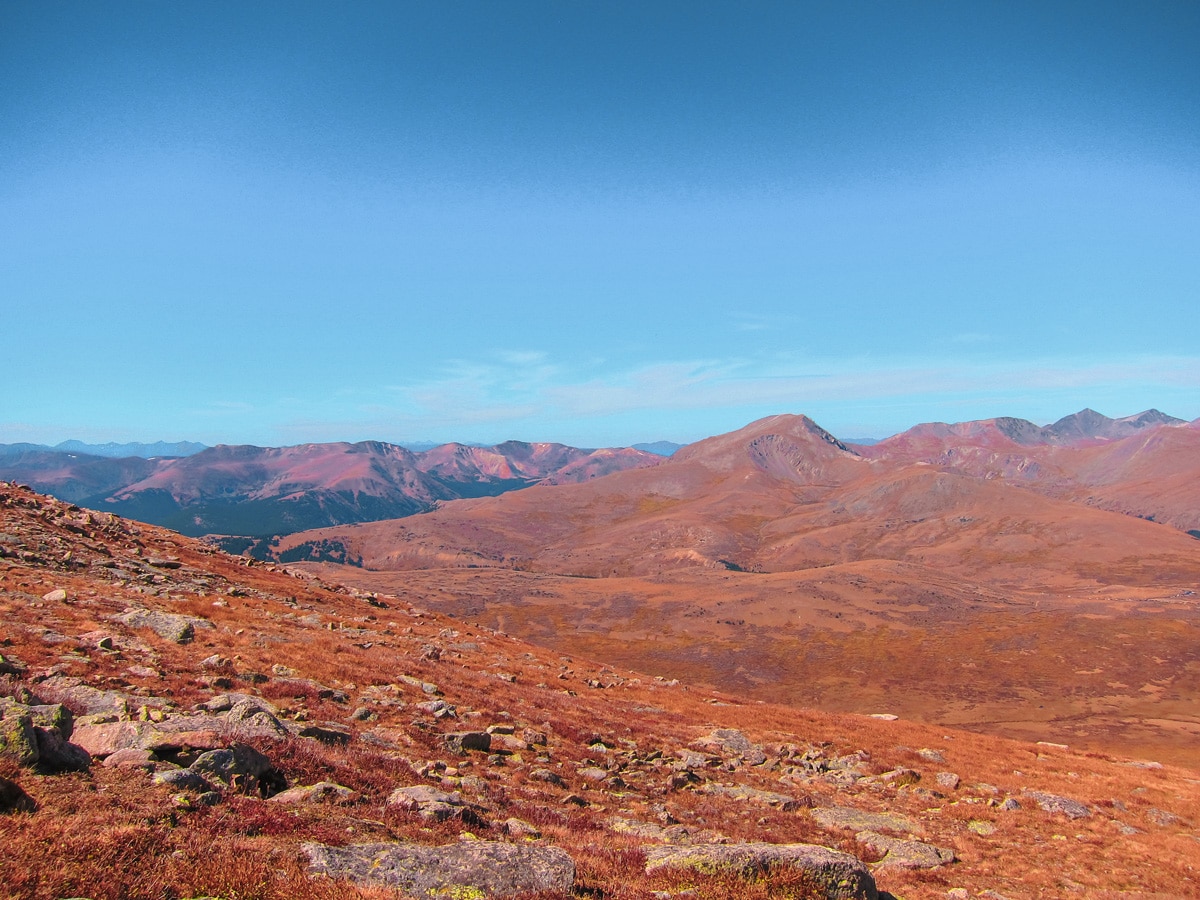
(111, 835)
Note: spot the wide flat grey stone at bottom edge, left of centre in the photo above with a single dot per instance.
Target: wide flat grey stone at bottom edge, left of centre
(471, 869)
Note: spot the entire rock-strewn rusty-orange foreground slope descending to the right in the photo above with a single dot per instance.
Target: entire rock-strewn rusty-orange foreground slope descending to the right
(182, 723)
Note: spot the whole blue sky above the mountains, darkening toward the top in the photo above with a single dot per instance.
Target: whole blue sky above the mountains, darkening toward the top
(592, 223)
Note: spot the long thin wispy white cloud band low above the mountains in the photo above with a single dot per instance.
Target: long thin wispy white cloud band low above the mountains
(496, 389)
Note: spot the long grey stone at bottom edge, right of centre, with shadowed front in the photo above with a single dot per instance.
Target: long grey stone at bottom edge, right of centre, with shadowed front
(839, 877)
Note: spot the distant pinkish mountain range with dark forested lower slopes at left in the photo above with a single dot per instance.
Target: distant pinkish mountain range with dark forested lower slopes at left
(259, 493)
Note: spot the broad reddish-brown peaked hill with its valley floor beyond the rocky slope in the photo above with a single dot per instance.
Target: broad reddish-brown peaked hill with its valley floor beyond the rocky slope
(777, 561)
